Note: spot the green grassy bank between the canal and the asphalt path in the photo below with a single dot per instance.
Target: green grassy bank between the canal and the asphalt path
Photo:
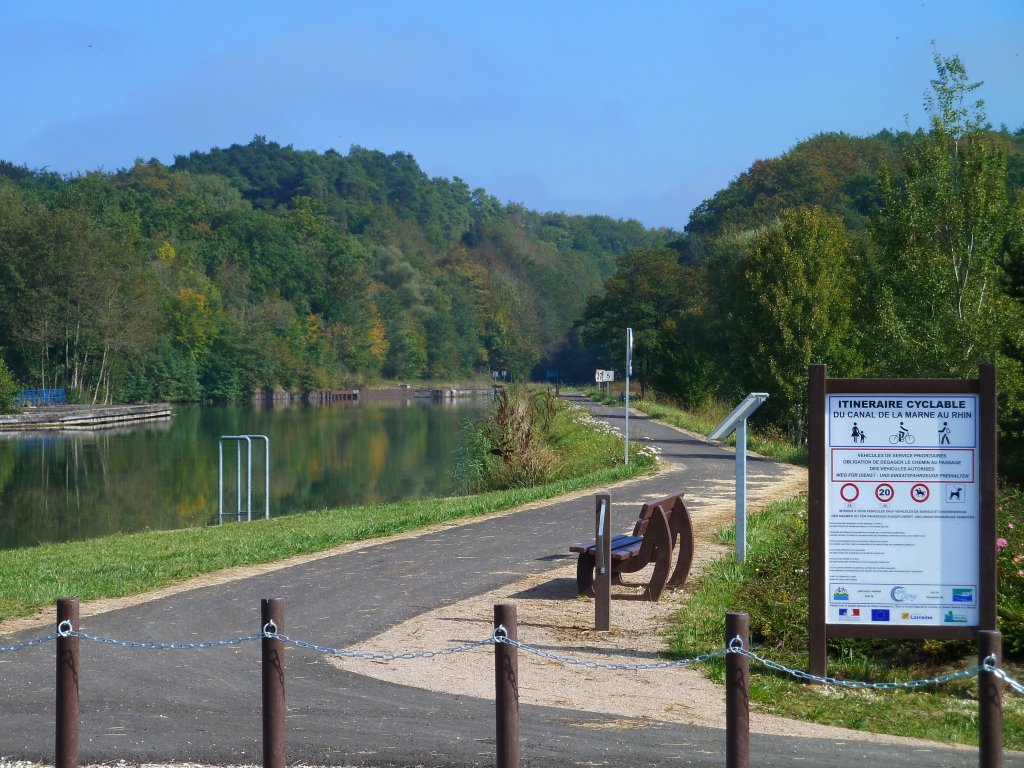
(118, 566)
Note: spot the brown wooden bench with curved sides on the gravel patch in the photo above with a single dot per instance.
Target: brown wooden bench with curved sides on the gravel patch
(662, 527)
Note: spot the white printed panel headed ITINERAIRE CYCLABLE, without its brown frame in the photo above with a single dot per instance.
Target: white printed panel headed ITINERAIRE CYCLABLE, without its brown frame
(903, 510)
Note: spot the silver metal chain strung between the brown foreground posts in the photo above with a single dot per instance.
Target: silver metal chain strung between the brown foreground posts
(500, 635)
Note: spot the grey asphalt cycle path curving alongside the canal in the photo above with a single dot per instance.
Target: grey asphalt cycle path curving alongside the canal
(204, 706)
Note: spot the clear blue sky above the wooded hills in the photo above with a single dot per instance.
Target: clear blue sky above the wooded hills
(638, 110)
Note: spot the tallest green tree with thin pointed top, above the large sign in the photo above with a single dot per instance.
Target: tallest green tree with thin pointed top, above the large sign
(942, 237)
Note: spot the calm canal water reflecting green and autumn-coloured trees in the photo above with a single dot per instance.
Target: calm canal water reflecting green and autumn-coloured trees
(65, 487)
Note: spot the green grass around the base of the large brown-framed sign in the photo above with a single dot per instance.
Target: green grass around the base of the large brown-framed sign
(772, 587)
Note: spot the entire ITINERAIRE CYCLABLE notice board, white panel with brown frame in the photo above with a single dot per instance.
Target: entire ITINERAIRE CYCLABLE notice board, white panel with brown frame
(902, 508)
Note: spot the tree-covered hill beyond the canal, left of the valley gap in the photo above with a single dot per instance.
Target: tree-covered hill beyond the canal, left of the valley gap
(263, 266)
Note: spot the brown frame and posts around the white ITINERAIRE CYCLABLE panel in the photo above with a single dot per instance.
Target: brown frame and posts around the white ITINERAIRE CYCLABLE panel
(821, 388)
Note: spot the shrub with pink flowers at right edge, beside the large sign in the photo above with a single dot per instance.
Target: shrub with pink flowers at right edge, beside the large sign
(1010, 568)
